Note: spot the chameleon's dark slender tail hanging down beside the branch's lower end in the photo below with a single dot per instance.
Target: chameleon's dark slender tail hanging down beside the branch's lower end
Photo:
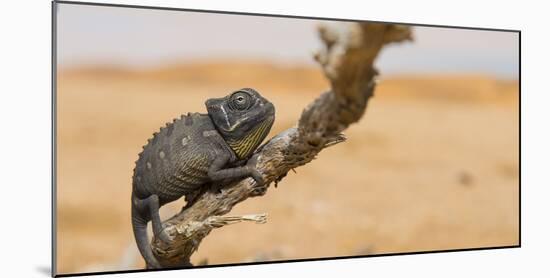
(139, 225)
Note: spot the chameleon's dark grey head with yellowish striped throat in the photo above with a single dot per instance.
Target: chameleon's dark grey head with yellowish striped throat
(243, 118)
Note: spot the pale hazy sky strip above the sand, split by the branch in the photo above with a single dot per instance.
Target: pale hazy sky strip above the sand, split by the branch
(143, 37)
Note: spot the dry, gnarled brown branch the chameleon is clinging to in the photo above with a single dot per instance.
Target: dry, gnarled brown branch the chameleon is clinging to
(347, 61)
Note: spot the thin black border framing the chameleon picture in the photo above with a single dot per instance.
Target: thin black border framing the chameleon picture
(54, 138)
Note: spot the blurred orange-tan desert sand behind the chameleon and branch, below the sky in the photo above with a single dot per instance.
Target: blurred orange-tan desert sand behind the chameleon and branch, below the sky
(432, 165)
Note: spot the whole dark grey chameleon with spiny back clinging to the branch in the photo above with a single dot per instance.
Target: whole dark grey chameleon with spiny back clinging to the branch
(196, 152)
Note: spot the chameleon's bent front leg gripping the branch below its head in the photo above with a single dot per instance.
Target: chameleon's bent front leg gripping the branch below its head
(217, 173)
